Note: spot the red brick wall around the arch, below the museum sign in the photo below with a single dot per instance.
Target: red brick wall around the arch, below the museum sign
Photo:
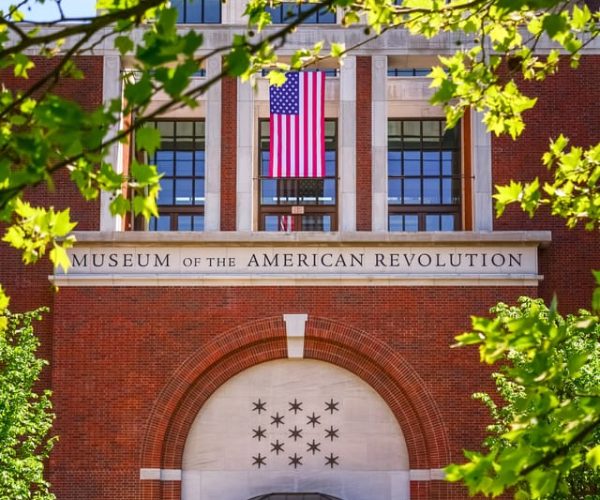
(111, 365)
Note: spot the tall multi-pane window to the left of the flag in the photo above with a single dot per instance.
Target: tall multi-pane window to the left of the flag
(181, 161)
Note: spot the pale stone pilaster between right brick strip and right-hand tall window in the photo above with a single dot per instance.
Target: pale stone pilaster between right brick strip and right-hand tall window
(379, 144)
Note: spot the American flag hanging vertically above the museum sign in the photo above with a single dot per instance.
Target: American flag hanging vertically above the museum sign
(297, 126)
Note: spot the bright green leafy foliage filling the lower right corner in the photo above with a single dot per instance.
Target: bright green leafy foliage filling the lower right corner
(545, 439)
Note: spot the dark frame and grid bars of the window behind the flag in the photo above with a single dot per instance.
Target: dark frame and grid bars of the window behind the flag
(292, 185)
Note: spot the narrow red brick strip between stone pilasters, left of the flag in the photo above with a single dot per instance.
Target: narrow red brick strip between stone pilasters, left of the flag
(228, 153)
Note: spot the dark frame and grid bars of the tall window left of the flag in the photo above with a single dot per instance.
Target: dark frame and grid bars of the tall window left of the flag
(175, 210)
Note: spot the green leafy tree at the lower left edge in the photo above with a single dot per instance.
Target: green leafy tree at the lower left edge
(25, 416)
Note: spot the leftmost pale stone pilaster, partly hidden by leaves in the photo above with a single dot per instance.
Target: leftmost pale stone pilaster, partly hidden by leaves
(111, 89)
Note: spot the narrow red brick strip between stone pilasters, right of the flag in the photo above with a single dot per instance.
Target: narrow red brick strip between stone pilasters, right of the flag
(363, 143)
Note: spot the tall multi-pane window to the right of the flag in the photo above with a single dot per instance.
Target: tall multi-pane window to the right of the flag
(424, 178)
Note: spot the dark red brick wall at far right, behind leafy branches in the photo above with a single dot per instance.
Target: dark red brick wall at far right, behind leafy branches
(567, 103)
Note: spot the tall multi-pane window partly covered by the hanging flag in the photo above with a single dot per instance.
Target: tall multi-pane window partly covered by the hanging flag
(298, 204)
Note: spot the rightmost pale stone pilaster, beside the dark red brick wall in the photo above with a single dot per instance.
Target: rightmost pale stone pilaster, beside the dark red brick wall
(481, 167)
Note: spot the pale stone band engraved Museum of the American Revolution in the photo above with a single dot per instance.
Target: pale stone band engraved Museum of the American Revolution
(245, 260)
